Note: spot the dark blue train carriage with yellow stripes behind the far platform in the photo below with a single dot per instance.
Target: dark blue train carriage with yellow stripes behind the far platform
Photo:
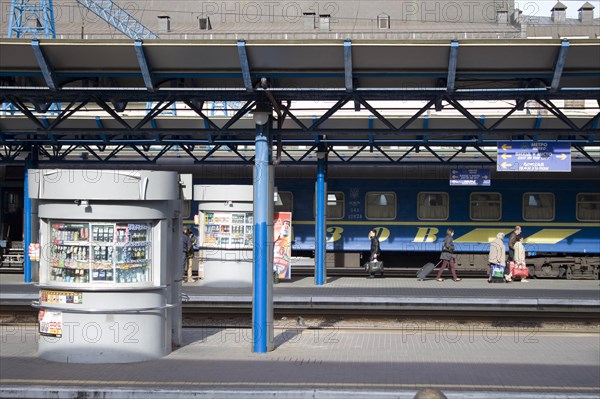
(560, 218)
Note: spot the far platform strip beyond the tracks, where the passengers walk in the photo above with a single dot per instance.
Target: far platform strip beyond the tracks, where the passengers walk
(384, 295)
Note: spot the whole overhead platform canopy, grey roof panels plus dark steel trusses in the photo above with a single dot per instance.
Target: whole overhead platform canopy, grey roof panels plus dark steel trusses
(106, 93)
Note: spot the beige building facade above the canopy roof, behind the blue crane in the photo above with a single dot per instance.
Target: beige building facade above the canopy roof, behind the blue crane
(309, 20)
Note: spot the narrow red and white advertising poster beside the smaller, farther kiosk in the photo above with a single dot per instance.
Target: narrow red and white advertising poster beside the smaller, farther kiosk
(282, 244)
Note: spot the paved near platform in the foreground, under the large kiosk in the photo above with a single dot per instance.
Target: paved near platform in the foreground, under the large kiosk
(217, 363)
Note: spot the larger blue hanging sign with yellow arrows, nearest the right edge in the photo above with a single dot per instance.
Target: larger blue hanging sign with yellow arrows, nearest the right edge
(533, 156)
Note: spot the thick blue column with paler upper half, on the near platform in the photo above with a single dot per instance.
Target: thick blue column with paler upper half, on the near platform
(262, 296)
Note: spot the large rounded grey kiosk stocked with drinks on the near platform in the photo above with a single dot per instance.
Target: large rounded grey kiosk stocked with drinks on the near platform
(110, 270)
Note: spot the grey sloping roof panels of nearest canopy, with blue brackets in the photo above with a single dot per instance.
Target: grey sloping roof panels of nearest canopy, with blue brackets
(197, 65)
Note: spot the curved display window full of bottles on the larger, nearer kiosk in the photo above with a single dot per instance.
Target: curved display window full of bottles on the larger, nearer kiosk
(99, 253)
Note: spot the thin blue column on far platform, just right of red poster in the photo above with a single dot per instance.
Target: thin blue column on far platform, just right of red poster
(320, 222)
